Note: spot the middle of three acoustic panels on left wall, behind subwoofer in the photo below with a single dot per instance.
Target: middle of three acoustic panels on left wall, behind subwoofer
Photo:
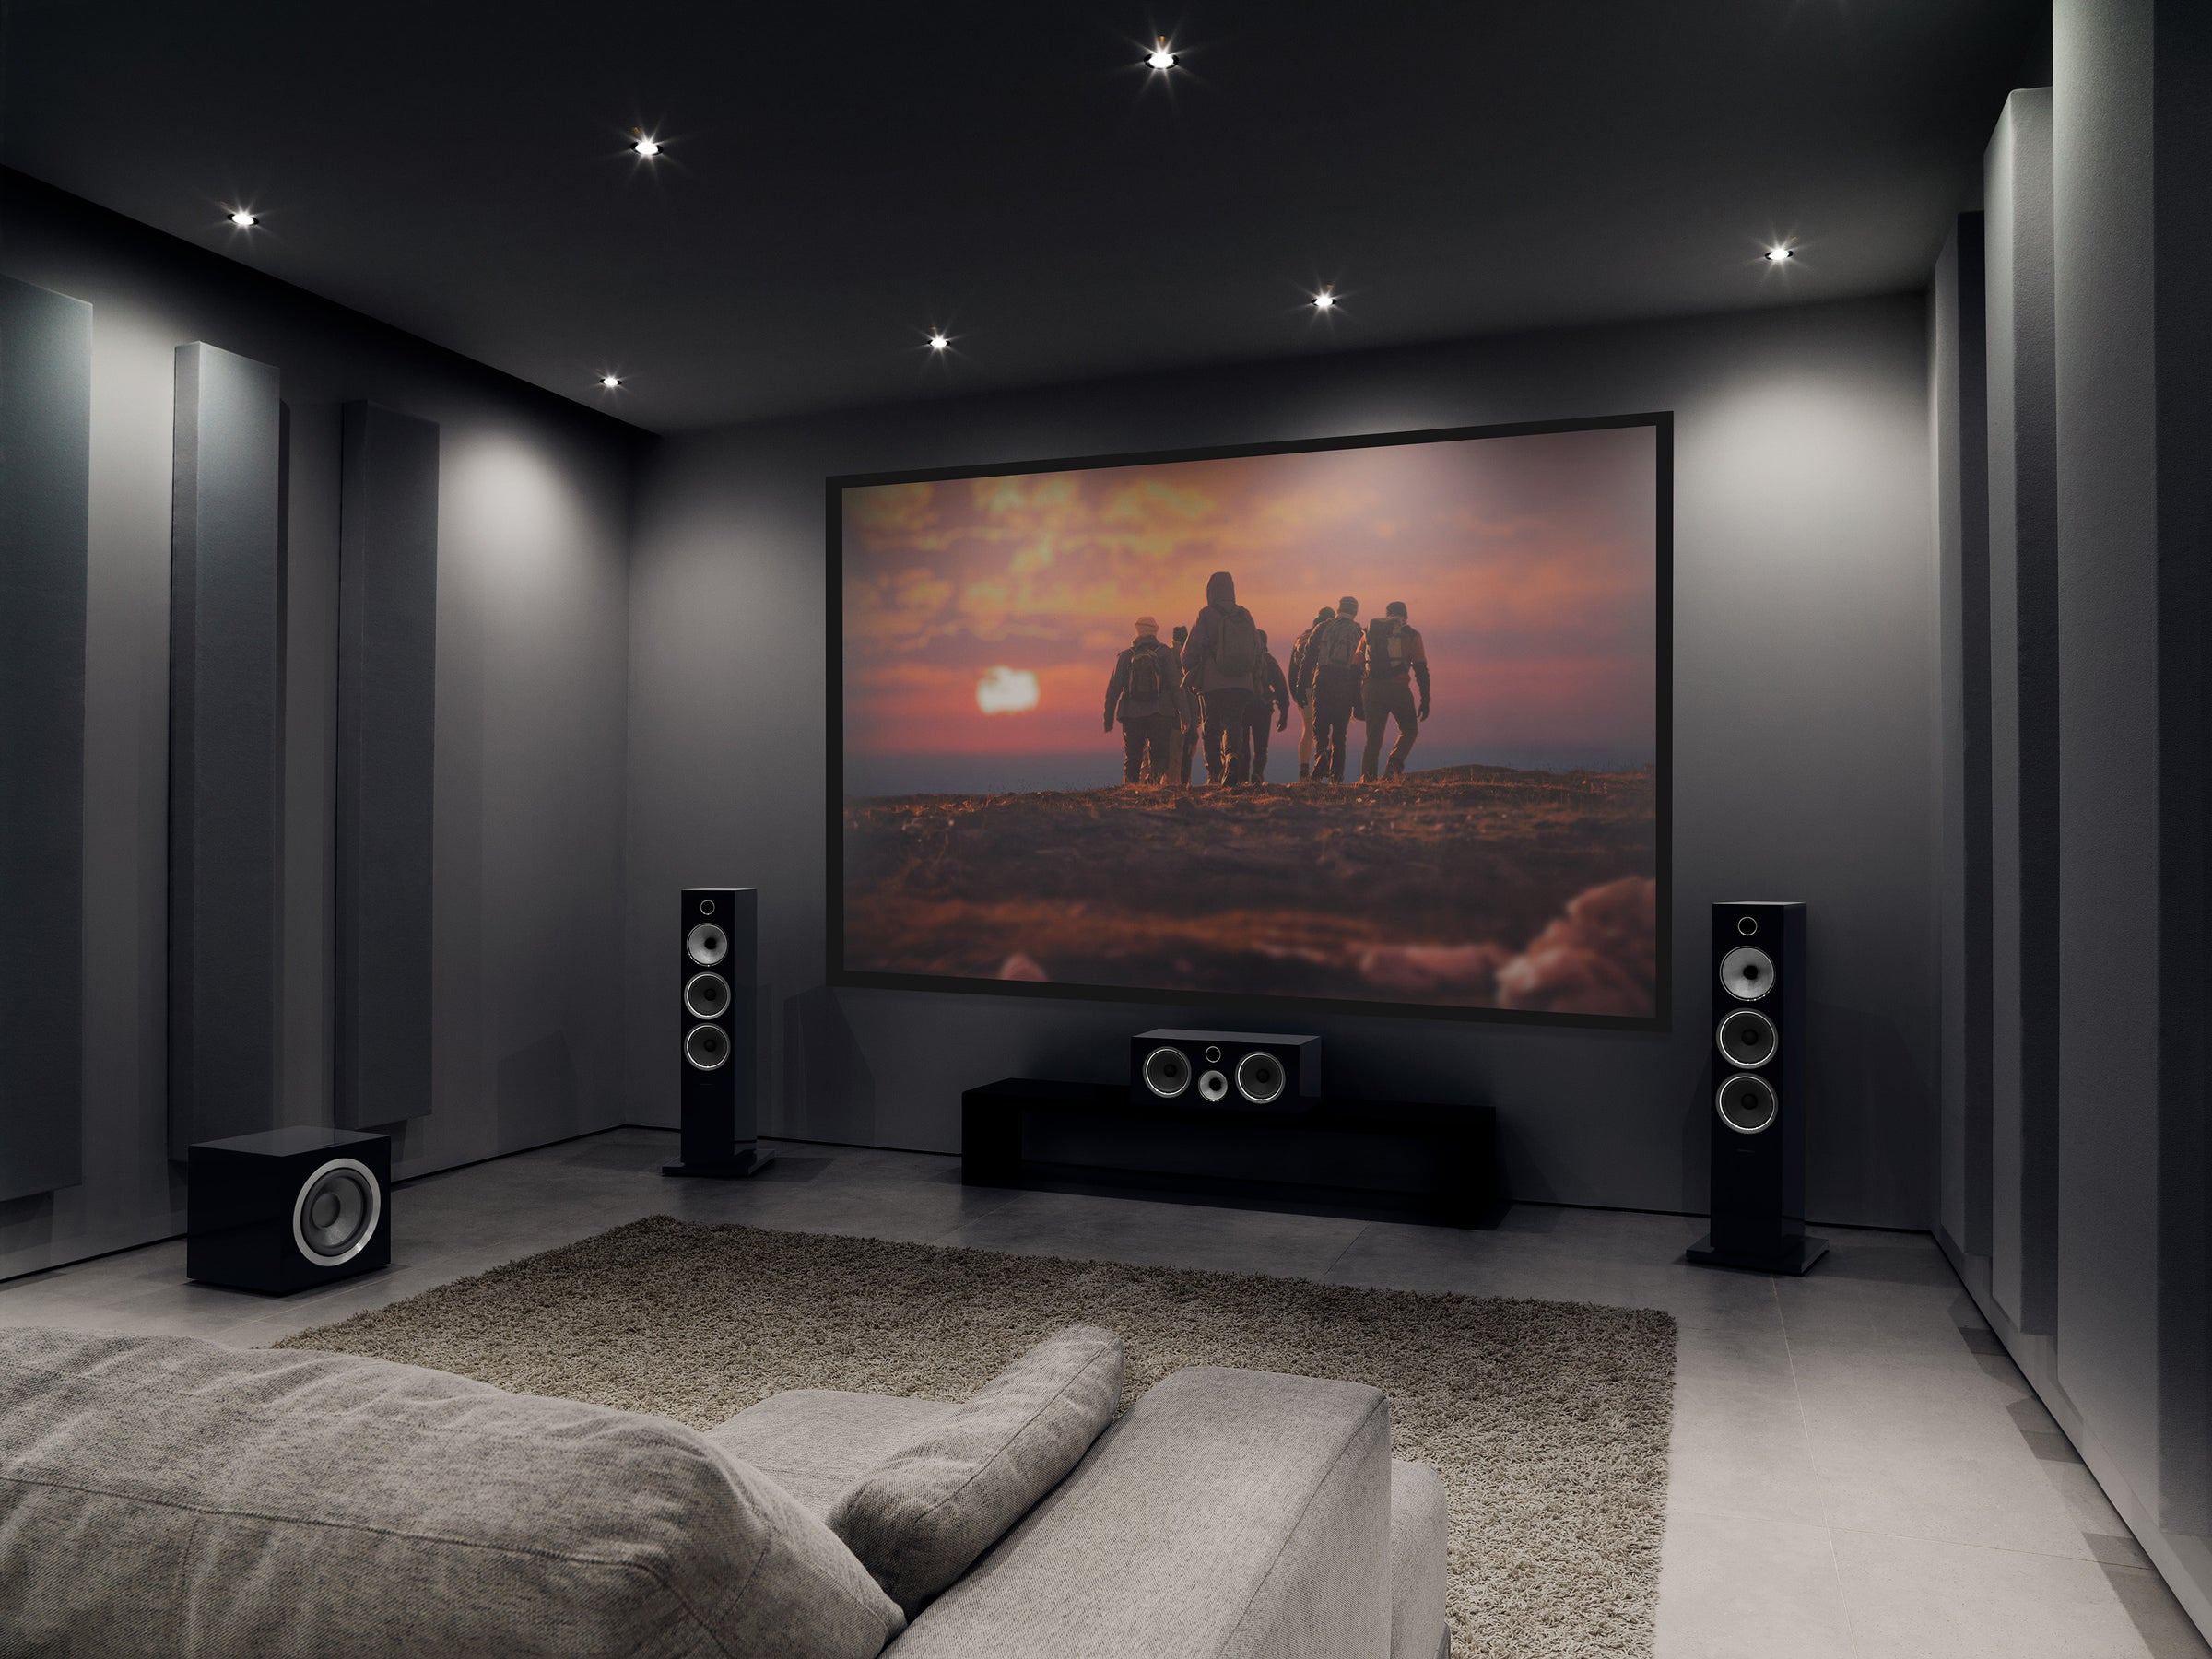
(225, 749)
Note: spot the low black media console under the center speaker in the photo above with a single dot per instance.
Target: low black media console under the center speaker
(1344, 1154)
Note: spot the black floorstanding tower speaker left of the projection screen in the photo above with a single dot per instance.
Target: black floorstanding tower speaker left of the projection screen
(720, 981)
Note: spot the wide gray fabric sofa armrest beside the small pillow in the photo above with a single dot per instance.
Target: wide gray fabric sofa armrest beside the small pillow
(1227, 1516)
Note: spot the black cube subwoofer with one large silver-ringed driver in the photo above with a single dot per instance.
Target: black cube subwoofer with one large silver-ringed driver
(289, 1209)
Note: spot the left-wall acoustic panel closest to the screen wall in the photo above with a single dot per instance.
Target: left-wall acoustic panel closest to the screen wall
(388, 667)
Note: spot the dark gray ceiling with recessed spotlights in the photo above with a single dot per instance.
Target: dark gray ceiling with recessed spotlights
(839, 178)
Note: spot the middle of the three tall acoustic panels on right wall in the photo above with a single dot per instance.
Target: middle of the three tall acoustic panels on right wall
(2025, 713)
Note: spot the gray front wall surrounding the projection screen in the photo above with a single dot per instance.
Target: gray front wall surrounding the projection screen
(1804, 740)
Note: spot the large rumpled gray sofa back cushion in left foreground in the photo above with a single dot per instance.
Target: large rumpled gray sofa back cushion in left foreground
(163, 1496)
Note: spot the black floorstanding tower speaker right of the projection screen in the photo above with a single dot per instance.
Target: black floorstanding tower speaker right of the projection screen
(1760, 1087)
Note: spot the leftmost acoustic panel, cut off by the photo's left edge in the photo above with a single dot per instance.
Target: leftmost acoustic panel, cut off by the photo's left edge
(45, 494)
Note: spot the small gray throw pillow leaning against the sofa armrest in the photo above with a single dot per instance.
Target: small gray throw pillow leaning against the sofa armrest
(928, 1512)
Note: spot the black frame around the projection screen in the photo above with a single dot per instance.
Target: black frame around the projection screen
(1660, 1019)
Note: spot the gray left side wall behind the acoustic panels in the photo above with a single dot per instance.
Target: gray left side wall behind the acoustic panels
(532, 662)
